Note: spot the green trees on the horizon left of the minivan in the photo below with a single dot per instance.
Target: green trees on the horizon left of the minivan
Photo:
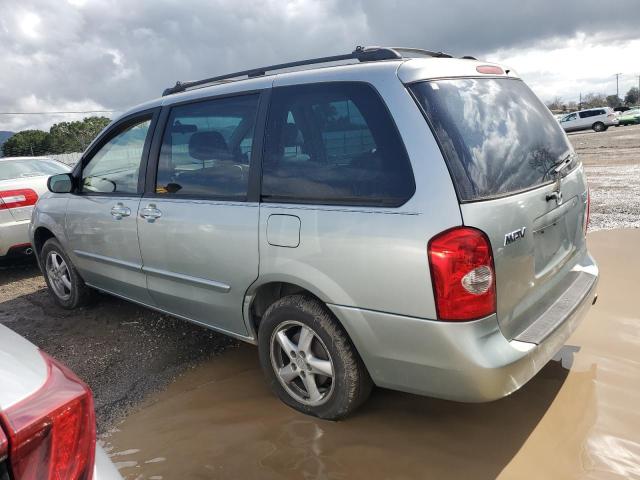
(63, 137)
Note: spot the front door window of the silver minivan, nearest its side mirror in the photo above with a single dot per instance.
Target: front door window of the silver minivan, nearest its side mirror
(115, 168)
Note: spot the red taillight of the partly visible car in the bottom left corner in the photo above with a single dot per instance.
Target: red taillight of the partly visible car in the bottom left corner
(52, 433)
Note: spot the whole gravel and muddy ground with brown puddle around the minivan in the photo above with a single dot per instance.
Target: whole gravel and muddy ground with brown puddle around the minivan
(576, 419)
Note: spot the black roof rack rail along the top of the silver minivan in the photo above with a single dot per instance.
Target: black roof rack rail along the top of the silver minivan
(362, 54)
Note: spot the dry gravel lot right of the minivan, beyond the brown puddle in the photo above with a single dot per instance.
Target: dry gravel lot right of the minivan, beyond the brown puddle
(612, 163)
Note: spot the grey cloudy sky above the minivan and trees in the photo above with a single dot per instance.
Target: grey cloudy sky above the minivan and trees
(75, 55)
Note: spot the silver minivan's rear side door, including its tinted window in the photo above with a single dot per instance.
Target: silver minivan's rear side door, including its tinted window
(198, 230)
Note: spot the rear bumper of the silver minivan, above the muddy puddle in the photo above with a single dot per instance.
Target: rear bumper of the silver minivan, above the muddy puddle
(468, 362)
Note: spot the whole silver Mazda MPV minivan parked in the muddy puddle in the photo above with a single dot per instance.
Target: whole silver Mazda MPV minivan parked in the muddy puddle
(391, 217)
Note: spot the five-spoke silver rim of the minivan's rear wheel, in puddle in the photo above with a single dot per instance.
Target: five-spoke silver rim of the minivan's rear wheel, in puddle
(302, 363)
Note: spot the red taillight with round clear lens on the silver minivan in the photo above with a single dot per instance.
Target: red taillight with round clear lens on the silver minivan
(463, 274)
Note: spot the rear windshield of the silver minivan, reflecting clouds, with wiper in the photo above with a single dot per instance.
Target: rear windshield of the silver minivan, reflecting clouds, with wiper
(496, 136)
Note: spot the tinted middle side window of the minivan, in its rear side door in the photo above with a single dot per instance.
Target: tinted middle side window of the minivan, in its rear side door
(206, 148)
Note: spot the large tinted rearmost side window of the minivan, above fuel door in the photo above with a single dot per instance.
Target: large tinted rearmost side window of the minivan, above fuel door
(334, 143)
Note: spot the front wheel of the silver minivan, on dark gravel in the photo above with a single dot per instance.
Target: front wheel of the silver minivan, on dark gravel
(65, 284)
